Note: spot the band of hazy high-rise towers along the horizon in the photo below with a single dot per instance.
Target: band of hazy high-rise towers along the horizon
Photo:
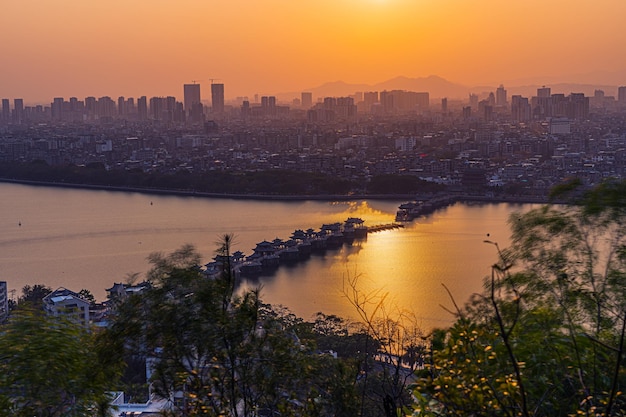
(544, 102)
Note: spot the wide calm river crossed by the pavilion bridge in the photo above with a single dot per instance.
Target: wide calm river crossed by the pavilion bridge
(91, 239)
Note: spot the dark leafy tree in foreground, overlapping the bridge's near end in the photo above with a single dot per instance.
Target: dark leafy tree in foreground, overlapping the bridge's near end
(213, 351)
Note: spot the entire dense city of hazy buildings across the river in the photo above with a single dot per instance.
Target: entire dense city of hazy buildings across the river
(531, 143)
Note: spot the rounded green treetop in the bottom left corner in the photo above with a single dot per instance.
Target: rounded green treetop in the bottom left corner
(50, 367)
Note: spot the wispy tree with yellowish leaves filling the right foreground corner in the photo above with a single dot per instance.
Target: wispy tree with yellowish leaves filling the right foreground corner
(546, 337)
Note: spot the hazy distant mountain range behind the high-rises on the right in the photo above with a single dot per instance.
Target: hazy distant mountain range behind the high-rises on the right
(439, 87)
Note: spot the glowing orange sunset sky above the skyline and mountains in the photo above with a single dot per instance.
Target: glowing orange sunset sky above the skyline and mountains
(152, 47)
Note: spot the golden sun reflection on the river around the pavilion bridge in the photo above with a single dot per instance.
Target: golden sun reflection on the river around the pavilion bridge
(409, 265)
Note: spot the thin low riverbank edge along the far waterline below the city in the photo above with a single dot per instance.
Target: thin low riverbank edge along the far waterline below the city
(275, 197)
